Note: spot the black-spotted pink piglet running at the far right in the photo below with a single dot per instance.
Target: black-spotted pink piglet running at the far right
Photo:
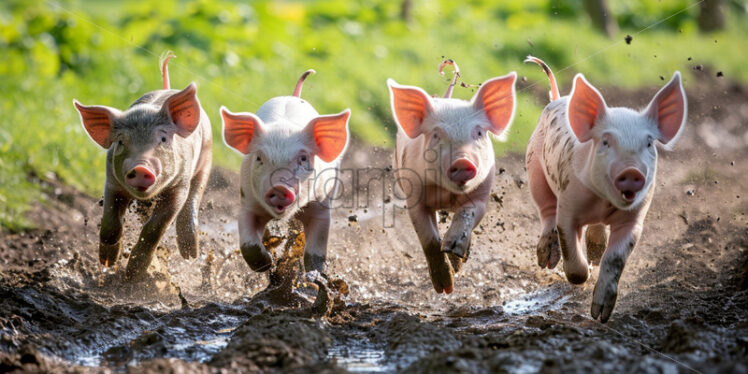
(592, 166)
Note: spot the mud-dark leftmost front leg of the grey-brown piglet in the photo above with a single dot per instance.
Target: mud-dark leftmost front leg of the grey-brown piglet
(110, 246)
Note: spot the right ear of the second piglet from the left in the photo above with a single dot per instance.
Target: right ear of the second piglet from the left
(330, 134)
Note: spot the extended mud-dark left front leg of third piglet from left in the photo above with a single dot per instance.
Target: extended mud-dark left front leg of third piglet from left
(424, 221)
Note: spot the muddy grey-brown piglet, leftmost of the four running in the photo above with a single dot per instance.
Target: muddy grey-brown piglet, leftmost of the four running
(158, 150)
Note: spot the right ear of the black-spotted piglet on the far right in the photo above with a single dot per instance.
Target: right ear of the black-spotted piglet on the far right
(668, 108)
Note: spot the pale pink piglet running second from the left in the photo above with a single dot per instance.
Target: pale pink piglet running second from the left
(290, 168)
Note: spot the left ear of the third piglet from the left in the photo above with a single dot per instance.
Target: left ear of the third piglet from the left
(410, 106)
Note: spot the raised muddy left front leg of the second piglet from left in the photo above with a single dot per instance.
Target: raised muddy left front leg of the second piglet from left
(251, 228)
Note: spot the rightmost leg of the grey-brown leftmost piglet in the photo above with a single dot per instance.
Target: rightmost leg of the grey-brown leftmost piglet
(187, 220)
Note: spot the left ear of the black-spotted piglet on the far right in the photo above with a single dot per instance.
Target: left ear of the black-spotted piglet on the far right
(586, 106)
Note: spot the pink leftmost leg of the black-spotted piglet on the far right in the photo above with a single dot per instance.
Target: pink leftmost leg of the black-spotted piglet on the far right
(548, 249)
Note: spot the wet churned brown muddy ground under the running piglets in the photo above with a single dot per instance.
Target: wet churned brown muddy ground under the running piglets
(682, 307)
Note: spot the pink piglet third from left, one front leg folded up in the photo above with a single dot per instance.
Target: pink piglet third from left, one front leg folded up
(444, 160)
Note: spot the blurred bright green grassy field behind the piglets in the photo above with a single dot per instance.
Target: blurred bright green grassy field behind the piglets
(241, 55)
